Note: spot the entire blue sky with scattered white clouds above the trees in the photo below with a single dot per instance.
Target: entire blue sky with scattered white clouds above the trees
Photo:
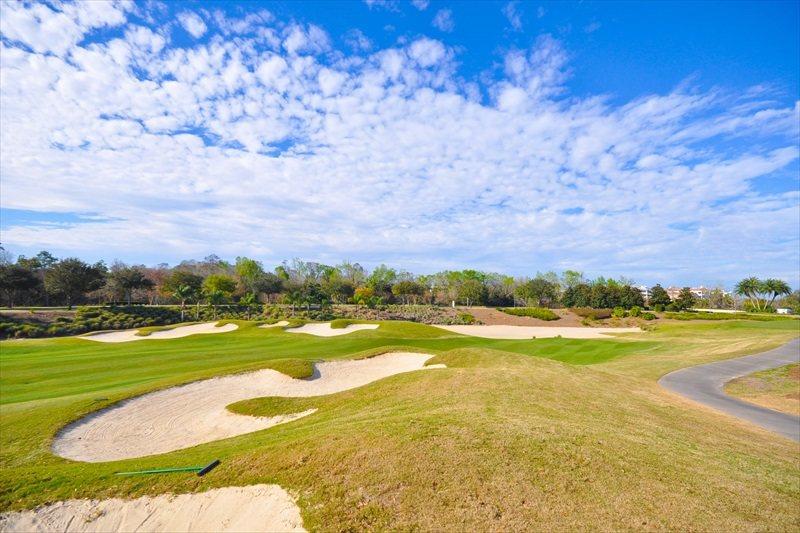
(657, 141)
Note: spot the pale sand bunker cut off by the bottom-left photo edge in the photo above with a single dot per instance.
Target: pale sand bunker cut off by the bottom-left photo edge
(253, 508)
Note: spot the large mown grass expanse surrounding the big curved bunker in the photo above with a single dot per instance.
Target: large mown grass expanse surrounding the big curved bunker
(561, 433)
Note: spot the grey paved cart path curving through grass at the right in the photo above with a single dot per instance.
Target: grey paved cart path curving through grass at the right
(703, 384)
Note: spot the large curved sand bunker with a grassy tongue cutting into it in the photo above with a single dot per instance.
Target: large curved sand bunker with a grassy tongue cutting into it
(187, 415)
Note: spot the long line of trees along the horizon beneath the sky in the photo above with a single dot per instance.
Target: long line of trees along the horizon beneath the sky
(44, 280)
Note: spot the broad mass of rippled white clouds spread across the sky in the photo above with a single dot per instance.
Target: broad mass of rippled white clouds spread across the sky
(286, 147)
